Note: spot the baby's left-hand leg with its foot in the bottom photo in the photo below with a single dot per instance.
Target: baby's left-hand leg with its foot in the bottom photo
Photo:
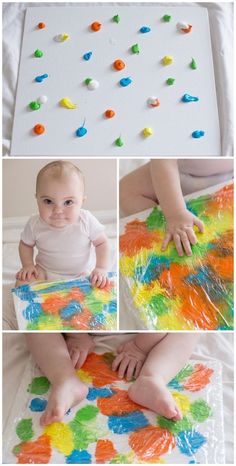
(51, 354)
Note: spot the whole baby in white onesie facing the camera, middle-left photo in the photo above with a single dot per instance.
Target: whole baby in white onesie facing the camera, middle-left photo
(62, 232)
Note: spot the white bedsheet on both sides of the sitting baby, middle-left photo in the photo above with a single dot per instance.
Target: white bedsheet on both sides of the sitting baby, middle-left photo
(12, 228)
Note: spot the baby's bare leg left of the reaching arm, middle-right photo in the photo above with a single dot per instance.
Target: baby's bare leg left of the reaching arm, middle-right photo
(136, 191)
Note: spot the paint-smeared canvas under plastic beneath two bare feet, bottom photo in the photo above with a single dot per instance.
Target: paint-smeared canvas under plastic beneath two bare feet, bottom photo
(107, 427)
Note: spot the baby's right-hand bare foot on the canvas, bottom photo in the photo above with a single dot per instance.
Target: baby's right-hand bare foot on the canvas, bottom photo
(152, 393)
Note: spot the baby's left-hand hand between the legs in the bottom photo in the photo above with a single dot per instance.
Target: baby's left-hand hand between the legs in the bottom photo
(79, 346)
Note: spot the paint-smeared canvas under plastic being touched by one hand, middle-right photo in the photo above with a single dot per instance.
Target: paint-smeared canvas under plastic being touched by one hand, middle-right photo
(168, 292)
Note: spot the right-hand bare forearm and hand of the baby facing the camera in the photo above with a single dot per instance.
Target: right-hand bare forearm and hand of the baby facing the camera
(98, 275)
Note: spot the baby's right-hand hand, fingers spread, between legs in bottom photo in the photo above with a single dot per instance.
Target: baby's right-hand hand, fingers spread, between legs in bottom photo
(129, 360)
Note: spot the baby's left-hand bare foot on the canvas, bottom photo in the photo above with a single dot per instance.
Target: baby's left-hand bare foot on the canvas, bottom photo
(69, 392)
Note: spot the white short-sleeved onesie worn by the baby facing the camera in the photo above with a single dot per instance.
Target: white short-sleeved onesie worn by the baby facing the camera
(64, 252)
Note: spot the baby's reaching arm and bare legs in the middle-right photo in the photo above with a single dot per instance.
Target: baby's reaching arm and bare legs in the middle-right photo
(165, 181)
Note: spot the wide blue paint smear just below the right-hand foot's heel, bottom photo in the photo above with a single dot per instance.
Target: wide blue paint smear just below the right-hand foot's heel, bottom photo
(127, 423)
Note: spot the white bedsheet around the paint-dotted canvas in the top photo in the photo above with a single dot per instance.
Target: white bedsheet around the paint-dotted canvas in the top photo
(221, 27)
